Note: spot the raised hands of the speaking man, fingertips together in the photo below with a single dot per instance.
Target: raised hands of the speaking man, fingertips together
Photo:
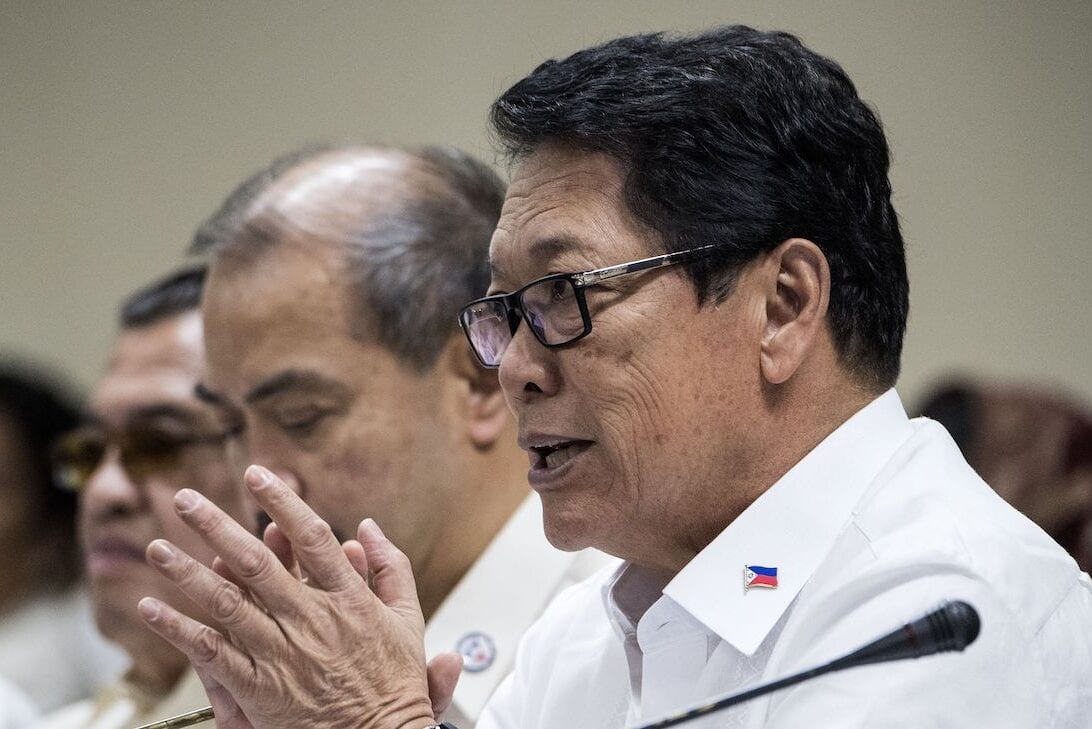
(343, 648)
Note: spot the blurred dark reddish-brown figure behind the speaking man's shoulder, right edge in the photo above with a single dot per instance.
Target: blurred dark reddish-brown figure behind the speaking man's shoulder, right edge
(1035, 447)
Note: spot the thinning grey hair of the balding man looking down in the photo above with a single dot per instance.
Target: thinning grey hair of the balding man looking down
(409, 267)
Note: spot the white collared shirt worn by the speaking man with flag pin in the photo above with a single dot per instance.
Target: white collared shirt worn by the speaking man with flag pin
(874, 529)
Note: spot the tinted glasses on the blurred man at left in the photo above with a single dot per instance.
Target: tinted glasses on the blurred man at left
(143, 452)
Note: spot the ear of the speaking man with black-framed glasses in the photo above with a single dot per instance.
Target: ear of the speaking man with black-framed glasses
(797, 298)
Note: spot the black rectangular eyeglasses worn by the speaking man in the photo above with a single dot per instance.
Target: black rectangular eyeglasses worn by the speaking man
(554, 307)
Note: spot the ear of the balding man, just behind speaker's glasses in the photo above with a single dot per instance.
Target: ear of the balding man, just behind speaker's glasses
(482, 405)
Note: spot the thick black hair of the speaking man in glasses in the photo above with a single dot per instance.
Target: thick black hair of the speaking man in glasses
(741, 138)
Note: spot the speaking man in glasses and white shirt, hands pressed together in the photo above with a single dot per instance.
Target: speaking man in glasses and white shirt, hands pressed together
(697, 310)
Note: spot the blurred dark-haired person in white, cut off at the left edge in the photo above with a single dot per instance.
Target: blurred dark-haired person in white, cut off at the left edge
(50, 649)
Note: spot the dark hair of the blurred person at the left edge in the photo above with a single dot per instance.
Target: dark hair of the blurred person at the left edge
(40, 412)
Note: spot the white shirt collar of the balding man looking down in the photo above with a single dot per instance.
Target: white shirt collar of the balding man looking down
(496, 602)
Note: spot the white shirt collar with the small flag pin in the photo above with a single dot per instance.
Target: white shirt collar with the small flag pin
(792, 527)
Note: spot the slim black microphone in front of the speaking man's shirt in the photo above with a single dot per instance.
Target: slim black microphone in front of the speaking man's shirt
(953, 627)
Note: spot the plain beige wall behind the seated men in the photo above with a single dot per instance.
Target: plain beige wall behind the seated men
(123, 125)
